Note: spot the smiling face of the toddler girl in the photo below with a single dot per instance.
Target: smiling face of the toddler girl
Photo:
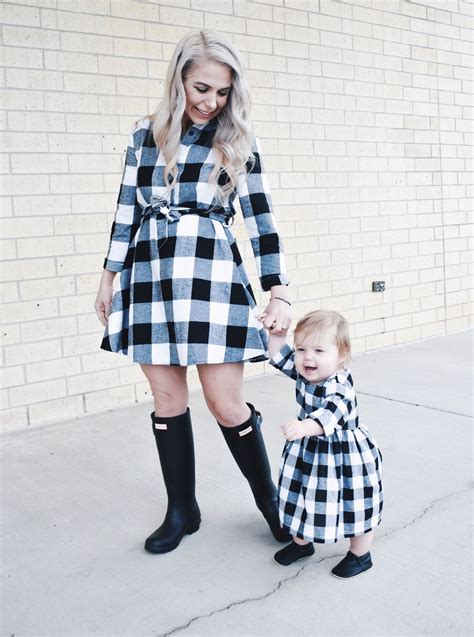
(317, 356)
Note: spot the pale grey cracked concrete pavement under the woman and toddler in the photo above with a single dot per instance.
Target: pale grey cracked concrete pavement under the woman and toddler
(80, 496)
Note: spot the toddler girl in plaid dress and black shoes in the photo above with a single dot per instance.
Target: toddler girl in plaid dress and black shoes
(330, 482)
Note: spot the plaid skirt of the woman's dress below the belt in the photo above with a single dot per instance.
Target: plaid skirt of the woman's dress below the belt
(184, 297)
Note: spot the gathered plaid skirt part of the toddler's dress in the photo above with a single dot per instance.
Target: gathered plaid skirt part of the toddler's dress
(331, 486)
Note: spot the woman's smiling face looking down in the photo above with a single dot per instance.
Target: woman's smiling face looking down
(207, 89)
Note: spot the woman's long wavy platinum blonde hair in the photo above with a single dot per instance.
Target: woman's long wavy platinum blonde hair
(232, 142)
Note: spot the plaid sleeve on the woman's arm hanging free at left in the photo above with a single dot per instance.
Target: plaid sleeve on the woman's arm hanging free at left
(128, 212)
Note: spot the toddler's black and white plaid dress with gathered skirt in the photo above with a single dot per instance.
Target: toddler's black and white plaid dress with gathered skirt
(330, 486)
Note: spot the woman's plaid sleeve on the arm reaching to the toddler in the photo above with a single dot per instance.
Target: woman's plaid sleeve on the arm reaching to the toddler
(255, 201)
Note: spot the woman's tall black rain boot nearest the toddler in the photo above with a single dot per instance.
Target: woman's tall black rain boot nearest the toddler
(248, 448)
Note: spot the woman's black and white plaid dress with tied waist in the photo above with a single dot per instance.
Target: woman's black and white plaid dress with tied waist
(184, 296)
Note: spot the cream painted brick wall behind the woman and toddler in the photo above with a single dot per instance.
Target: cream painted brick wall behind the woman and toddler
(363, 108)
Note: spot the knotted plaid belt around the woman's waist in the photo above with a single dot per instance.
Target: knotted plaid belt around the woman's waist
(162, 211)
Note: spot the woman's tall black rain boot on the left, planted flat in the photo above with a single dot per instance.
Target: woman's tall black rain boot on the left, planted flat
(174, 440)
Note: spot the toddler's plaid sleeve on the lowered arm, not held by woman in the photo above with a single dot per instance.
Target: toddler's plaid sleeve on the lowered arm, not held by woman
(337, 407)
